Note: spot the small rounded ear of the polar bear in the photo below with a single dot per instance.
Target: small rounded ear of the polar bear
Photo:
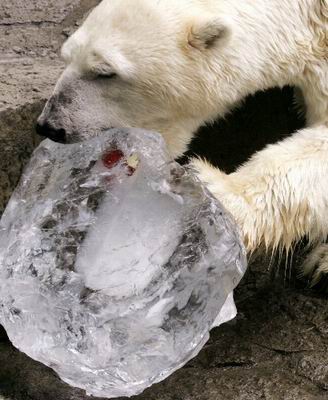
(209, 33)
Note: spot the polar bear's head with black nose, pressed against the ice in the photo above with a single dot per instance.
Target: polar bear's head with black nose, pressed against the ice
(150, 64)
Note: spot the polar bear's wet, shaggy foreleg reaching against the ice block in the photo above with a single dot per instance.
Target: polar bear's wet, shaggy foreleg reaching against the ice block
(280, 195)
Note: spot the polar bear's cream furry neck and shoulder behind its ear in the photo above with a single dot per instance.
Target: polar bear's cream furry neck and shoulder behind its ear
(268, 48)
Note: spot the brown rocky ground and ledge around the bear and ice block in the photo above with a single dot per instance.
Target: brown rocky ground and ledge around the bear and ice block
(277, 347)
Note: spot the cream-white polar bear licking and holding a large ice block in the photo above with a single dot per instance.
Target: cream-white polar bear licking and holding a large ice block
(170, 66)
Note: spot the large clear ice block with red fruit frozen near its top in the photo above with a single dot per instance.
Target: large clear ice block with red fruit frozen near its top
(115, 262)
